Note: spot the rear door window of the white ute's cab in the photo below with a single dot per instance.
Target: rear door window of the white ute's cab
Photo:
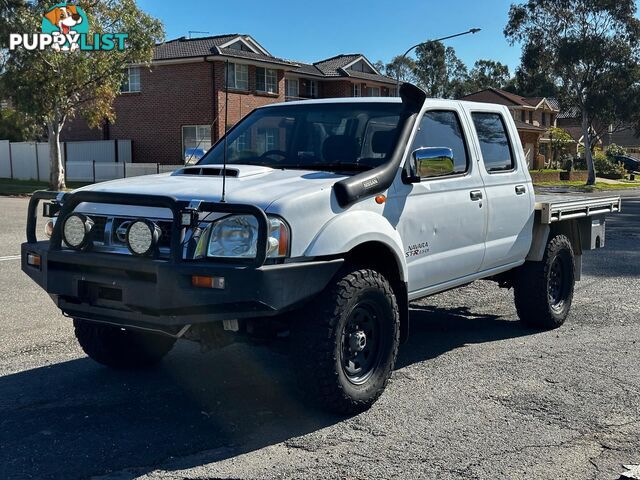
(495, 146)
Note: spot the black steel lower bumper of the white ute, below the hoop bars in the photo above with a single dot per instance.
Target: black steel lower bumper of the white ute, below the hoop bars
(143, 292)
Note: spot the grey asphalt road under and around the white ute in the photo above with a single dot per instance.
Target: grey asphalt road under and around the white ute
(475, 394)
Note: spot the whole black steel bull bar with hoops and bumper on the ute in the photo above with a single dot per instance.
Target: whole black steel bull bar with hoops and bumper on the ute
(158, 293)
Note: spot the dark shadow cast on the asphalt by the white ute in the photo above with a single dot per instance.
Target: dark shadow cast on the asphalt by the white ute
(76, 419)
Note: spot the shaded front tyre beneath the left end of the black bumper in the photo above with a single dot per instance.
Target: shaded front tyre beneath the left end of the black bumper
(119, 348)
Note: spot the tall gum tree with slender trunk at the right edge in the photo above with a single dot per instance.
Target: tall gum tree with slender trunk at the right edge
(591, 53)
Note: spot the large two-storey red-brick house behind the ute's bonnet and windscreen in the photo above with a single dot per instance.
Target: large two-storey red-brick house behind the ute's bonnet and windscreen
(177, 105)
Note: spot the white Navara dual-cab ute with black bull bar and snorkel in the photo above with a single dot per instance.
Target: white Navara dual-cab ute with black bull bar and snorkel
(337, 214)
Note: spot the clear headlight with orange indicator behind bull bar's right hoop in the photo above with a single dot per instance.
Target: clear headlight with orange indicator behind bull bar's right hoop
(236, 236)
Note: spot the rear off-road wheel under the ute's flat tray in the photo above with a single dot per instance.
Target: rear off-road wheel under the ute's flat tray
(543, 291)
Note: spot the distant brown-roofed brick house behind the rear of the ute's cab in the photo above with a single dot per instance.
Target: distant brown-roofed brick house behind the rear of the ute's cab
(533, 117)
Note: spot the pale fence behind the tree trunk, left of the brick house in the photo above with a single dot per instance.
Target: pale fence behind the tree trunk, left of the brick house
(84, 161)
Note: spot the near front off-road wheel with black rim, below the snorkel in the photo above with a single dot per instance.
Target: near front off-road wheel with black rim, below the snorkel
(325, 329)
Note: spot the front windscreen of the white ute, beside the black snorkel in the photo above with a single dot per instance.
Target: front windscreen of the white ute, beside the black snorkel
(316, 136)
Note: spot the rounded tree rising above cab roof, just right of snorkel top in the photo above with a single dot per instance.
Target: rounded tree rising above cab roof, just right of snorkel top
(439, 71)
